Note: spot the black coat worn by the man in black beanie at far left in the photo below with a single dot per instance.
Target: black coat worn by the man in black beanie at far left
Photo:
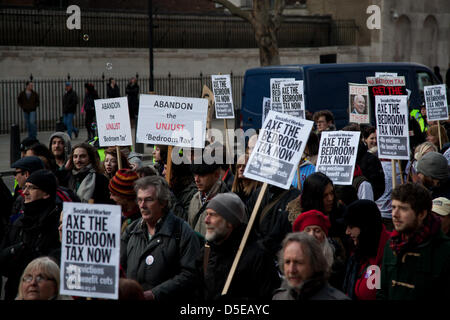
(33, 234)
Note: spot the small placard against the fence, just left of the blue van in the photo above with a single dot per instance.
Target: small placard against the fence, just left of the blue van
(222, 96)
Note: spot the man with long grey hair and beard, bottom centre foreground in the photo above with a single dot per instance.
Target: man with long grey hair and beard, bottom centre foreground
(305, 269)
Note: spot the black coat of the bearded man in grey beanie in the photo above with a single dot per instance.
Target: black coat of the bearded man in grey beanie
(256, 275)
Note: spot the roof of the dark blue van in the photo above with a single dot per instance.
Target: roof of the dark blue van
(331, 66)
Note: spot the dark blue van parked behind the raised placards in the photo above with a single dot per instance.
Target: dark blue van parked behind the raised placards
(326, 86)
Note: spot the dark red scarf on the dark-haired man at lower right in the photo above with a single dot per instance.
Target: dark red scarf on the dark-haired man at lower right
(399, 243)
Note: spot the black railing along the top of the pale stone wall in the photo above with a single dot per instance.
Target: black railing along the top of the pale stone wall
(30, 27)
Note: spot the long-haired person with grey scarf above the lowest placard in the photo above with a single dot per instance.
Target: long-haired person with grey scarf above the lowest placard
(85, 176)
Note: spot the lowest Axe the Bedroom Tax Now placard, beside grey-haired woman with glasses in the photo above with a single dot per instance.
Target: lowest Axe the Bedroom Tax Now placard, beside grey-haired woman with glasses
(90, 250)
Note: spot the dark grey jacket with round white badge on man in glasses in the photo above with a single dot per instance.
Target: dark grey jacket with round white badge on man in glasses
(164, 264)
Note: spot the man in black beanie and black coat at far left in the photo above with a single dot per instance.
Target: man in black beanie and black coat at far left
(34, 233)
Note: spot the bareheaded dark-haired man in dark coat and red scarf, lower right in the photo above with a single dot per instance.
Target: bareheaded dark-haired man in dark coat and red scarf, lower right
(416, 261)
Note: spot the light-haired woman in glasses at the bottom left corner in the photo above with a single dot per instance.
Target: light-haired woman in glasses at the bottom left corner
(40, 281)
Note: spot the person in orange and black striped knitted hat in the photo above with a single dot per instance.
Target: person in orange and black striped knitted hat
(121, 187)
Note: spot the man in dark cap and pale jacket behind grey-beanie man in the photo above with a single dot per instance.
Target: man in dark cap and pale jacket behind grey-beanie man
(209, 184)
